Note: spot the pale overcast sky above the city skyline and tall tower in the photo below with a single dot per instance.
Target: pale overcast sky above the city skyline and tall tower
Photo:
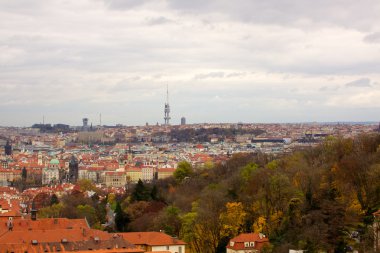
(224, 61)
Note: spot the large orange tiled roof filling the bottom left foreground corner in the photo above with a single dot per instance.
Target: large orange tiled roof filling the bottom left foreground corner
(52, 234)
